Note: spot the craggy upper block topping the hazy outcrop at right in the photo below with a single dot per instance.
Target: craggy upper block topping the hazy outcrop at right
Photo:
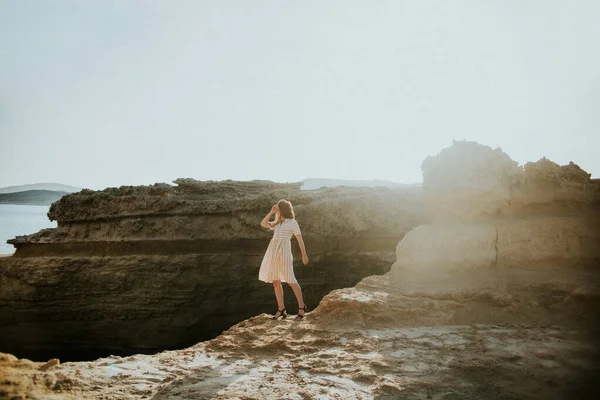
(469, 181)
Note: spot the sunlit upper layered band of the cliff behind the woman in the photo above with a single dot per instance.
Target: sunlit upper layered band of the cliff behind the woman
(209, 212)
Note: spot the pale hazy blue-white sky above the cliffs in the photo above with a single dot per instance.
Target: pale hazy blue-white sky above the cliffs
(101, 93)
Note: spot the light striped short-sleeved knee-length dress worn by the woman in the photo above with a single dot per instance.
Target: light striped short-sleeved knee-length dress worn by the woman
(277, 264)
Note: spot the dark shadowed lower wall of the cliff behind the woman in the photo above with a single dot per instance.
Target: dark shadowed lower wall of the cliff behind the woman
(111, 306)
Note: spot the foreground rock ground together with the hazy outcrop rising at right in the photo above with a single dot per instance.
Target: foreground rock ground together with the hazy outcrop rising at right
(479, 304)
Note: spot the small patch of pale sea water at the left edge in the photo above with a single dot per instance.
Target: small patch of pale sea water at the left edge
(16, 219)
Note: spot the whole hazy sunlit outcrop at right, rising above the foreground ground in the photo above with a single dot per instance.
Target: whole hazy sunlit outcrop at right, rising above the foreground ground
(486, 211)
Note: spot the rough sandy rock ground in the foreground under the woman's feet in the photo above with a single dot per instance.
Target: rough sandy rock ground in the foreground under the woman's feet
(502, 337)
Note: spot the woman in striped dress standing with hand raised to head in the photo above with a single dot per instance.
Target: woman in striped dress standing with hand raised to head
(277, 264)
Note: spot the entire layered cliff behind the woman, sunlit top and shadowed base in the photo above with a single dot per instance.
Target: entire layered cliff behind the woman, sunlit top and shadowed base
(143, 269)
